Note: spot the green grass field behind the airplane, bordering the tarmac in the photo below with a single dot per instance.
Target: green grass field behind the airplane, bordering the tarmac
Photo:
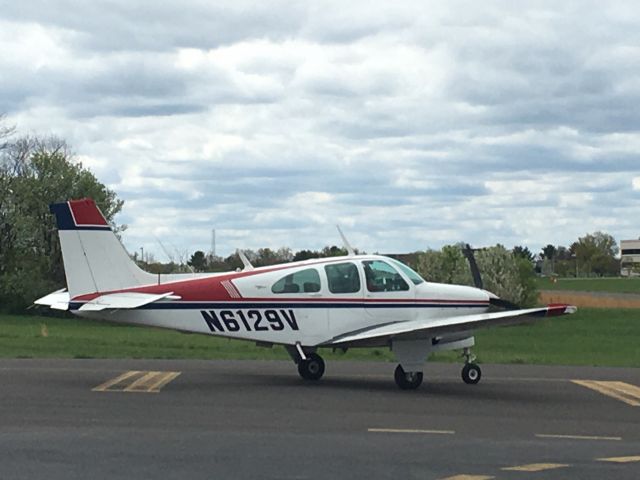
(590, 337)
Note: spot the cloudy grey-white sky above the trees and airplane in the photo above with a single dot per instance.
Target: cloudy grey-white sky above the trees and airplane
(411, 124)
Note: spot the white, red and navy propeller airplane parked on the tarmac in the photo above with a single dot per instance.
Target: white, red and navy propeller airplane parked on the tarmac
(342, 302)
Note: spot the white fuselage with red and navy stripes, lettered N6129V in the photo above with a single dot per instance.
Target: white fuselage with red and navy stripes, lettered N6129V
(243, 305)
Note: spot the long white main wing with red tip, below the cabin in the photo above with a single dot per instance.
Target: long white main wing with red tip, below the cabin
(442, 326)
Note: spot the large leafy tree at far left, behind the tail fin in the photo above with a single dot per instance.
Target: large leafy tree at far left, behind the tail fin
(35, 172)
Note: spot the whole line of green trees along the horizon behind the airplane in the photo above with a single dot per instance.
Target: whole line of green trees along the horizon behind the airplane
(36, 171)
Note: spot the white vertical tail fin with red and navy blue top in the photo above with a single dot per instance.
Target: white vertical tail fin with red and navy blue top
(94, 259)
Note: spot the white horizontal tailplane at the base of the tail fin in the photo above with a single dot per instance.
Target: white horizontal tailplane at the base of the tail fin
(114, 301)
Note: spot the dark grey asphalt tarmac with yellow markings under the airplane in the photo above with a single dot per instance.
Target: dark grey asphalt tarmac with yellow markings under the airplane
(64, 419)
